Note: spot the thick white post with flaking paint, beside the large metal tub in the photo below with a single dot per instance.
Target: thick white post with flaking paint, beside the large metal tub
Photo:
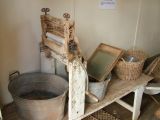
(77, 78)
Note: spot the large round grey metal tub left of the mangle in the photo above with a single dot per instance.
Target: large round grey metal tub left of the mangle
(39, 96)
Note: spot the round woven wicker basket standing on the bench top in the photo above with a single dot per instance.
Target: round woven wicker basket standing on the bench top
(130, 70)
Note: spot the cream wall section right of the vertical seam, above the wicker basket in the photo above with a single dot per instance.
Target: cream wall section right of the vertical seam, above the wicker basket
(149, 29)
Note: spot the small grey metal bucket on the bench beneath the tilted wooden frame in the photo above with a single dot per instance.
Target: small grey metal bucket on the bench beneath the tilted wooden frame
(98, 89)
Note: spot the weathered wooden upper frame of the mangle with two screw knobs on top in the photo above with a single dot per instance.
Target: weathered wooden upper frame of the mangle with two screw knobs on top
(63, 28)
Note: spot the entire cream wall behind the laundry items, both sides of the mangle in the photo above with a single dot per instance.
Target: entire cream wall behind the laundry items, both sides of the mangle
(20, 30)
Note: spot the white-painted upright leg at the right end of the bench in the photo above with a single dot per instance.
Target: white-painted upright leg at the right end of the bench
(137, 102)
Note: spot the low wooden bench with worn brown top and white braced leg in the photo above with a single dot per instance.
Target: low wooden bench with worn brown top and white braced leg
(117, 90)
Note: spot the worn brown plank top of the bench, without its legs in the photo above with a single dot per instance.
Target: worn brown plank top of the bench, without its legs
(116, 90)
